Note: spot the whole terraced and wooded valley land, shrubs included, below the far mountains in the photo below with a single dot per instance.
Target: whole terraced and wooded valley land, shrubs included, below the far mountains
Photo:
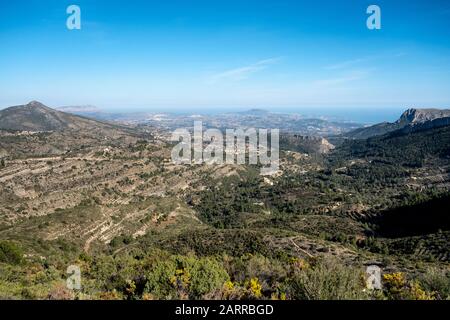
(141, 227)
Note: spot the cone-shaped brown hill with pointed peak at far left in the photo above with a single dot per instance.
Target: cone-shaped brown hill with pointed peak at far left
(37, 130)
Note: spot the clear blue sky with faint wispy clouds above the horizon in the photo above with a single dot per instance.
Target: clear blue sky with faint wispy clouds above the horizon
(218, 55)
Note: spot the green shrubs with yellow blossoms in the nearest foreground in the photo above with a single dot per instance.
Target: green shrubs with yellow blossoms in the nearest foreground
(157, 274)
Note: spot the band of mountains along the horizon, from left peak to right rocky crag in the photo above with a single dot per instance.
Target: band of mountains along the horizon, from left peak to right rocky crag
(35, 116)
